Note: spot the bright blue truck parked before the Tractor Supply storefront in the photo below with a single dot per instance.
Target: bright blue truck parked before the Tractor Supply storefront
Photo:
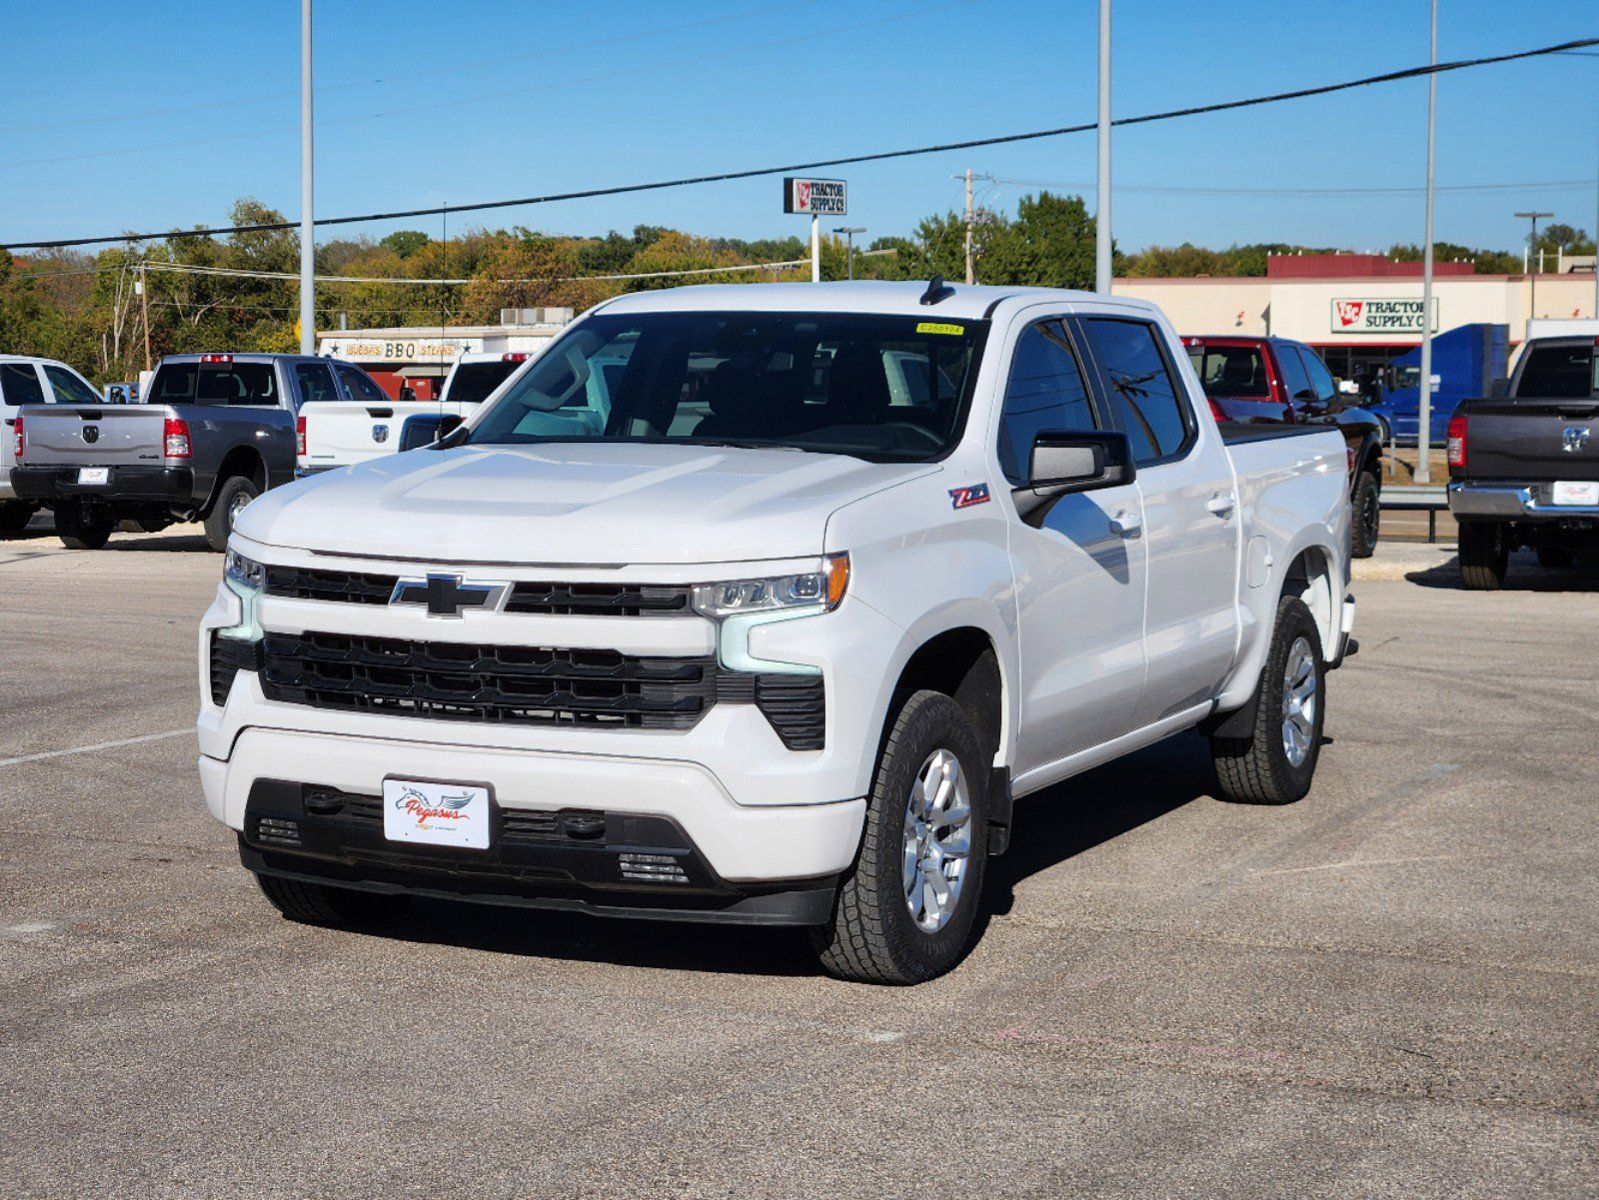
(1469, 361)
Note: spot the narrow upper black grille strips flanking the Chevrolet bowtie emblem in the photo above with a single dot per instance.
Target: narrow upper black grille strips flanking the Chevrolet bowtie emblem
(303, 583)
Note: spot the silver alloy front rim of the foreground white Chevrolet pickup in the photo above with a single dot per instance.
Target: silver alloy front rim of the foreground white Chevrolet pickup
(938, 841)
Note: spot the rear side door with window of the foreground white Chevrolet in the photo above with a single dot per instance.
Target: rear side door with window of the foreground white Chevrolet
(1190, 514)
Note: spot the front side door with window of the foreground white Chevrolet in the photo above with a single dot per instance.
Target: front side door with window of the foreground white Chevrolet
(1080, 569)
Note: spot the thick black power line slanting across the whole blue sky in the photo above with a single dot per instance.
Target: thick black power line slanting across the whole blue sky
(847, 161)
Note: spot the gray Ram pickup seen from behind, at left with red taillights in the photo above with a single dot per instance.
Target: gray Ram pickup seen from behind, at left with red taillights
(217, 431)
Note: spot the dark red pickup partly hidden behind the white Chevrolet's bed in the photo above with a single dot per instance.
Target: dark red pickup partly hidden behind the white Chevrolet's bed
(1277, 382)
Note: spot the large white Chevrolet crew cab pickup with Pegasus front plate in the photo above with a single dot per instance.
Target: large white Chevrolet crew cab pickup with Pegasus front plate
(780, 642)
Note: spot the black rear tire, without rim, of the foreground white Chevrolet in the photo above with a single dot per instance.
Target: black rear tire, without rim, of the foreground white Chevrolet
(1258, 770)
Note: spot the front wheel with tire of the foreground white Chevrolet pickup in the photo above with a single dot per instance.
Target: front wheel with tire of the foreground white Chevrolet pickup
(906, 911)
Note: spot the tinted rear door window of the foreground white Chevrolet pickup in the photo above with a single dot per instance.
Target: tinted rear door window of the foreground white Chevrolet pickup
(1139, 383)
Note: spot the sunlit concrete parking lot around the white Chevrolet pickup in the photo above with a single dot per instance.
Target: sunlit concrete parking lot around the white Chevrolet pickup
(1389, 990)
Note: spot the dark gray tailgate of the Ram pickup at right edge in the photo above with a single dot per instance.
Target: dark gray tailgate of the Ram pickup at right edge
(1533, 441)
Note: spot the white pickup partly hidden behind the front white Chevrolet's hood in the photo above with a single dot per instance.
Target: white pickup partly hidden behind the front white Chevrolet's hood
(369, 425)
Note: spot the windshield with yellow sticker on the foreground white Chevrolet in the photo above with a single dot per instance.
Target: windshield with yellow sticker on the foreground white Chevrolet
(877, 388)
